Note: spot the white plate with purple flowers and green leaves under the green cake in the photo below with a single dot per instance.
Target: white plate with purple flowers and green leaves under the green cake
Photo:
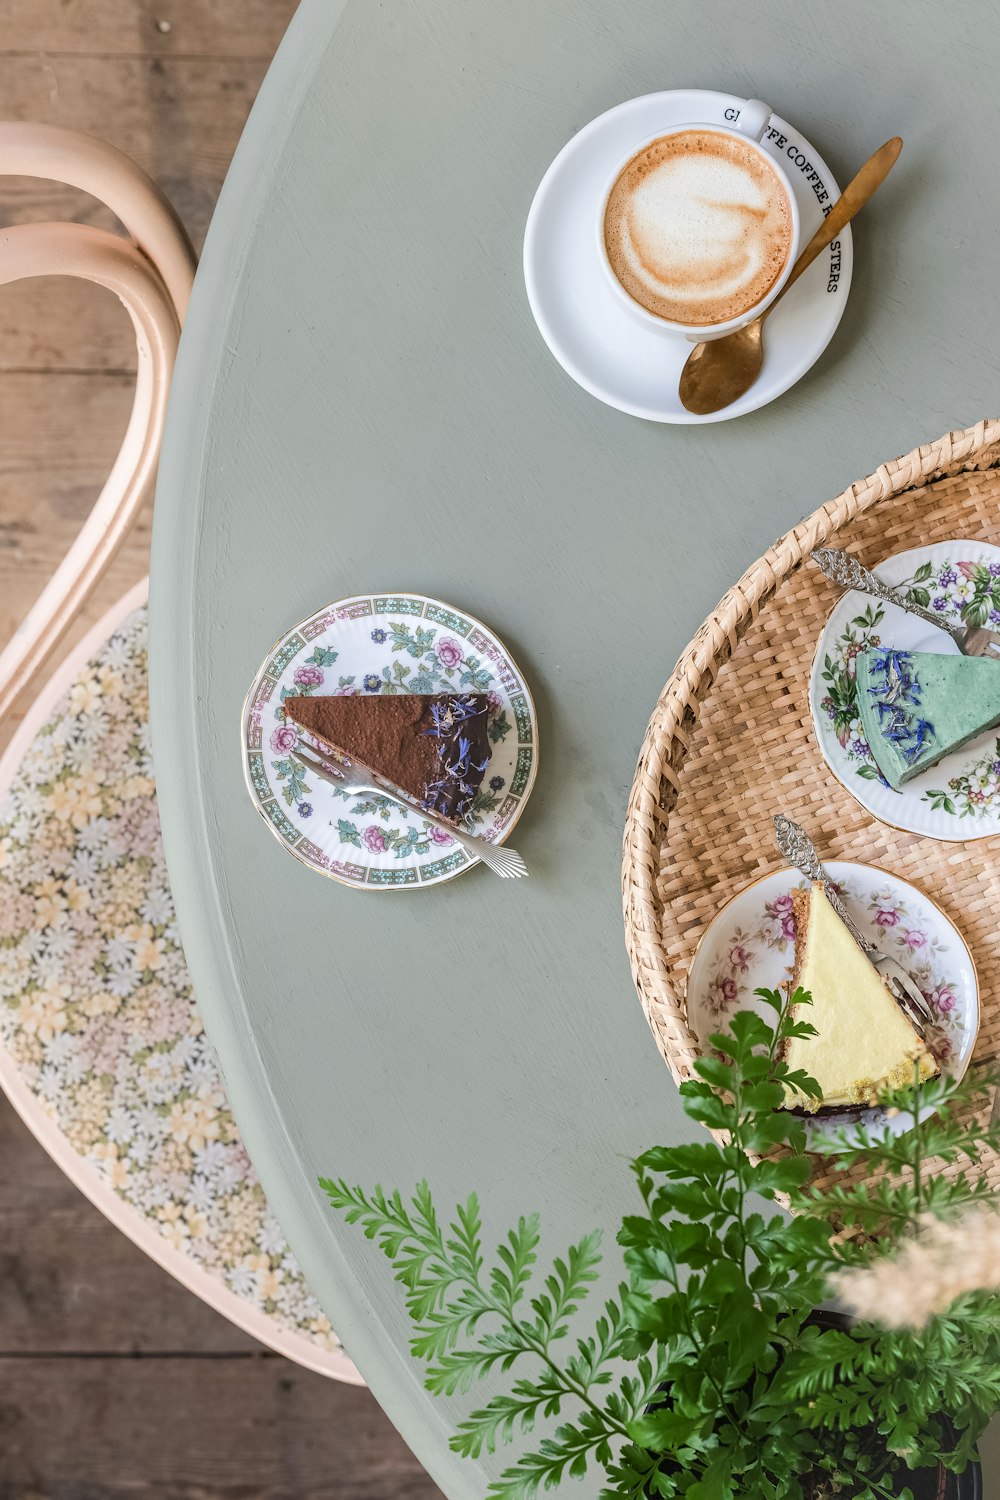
(960, 797)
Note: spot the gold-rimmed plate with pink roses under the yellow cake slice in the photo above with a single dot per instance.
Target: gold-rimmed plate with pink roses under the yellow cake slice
(752, 944)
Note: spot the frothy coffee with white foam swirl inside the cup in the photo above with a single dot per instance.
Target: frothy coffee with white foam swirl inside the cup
(698, 227)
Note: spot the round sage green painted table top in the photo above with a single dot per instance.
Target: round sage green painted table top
(364, 404)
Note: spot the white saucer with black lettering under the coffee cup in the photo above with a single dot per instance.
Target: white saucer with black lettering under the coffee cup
(594, 340)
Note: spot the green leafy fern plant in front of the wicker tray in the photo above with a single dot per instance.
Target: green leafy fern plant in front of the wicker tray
(708, 1376)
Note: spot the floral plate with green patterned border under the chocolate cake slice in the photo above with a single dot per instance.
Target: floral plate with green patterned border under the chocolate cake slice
(385, 644)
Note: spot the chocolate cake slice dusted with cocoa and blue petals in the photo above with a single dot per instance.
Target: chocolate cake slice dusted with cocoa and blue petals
(433, 746)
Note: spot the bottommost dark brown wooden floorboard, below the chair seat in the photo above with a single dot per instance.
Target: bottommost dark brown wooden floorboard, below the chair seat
(196, 1430)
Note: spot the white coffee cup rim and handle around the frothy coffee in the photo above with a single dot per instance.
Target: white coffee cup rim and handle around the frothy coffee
(747, 122)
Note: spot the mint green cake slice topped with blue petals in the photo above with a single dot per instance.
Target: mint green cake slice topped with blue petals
(917, 707)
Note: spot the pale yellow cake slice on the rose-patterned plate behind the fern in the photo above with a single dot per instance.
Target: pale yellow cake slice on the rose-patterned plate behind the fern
(864, 1042)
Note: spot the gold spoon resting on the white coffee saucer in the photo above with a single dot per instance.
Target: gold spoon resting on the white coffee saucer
(719, 371)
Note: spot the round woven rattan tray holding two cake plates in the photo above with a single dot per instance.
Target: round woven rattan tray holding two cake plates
(731, 743)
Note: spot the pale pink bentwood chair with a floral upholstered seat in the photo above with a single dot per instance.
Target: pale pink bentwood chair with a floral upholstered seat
(103, 1052)
